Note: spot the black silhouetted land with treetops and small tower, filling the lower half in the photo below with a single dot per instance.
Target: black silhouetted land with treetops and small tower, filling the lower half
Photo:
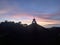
(16, 33)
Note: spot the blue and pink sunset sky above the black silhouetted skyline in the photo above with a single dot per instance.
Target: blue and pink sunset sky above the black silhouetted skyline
(46, 12)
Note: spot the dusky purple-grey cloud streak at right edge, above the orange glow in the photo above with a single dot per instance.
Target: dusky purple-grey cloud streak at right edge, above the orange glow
(53, 16)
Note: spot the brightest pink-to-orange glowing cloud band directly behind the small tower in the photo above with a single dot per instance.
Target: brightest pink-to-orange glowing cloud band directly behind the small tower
(25, 18)
